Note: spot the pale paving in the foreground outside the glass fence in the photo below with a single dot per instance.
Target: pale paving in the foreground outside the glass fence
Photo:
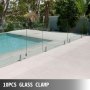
(70, 61)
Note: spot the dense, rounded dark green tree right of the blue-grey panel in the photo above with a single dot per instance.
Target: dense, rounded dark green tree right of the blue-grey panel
(68, 14)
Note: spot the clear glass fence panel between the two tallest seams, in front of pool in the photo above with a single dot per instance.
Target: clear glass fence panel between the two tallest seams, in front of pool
(34, 39)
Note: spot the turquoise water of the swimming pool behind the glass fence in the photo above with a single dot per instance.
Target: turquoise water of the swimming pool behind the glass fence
(11, 42)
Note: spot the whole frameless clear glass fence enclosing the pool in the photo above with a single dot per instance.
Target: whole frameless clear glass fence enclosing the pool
(20, 41)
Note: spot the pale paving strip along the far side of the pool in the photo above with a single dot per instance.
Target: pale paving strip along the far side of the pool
(55, 36)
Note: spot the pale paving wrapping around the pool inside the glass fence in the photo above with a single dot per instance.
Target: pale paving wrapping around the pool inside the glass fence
(55, 39)
